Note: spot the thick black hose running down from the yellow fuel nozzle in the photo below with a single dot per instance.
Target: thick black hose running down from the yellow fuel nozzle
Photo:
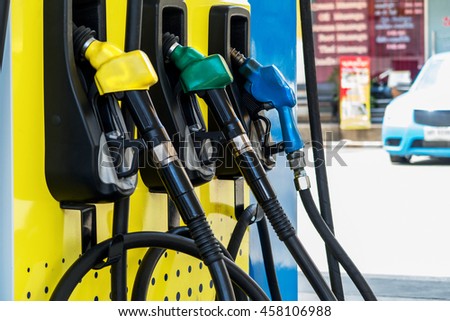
(178, 186)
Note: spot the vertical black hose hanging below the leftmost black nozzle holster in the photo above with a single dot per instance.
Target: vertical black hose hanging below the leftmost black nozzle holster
(119, 269)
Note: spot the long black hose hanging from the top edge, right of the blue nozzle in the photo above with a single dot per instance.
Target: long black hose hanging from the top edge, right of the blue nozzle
(317, 140)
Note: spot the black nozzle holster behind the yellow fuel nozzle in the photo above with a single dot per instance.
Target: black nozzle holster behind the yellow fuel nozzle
(79, 138)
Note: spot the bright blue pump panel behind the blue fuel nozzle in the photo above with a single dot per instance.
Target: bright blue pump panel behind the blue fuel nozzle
(273, 41)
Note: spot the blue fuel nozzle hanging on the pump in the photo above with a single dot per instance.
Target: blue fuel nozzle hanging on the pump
(267, 85)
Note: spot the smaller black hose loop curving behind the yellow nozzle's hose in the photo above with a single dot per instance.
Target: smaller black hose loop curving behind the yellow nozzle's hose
(150, 261)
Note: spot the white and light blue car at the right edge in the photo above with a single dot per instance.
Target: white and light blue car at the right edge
(418, 121)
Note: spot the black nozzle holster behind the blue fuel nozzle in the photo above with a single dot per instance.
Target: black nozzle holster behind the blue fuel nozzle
(229, 27)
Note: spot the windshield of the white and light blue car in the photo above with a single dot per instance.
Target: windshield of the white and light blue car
(435, 74)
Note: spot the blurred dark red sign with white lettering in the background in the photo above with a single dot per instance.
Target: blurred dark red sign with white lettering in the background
(390, 32)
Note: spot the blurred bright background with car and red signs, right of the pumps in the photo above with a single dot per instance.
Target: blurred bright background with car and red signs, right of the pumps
(382, 72)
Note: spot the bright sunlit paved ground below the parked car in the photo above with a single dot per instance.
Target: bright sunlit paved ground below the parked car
(393, 221)
